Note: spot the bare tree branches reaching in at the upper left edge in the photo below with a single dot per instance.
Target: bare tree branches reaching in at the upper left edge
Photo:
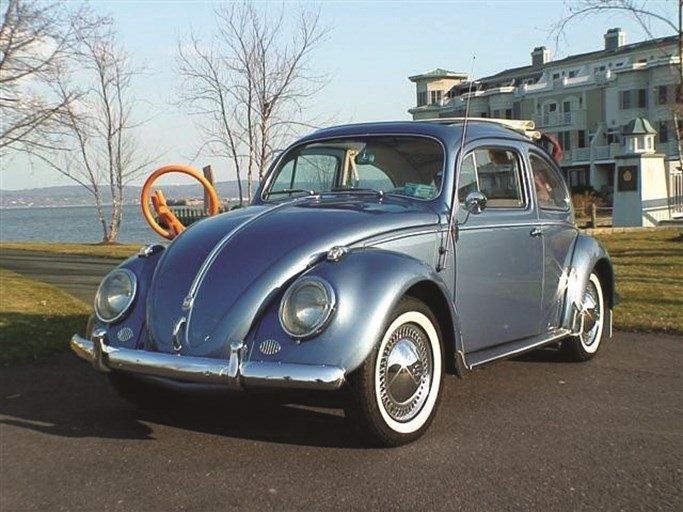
(36, 40)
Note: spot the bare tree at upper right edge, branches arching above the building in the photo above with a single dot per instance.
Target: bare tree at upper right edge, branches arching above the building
(645, 14)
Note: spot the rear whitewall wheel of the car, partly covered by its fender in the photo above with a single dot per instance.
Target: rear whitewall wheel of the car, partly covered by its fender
(586, 344)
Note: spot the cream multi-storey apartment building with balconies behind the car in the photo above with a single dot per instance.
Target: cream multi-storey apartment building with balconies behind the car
(588, 101)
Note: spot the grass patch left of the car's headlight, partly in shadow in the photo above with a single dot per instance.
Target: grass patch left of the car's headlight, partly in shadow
(36, 319)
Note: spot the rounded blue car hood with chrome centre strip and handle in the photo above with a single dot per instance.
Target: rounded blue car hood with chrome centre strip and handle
(236, 262)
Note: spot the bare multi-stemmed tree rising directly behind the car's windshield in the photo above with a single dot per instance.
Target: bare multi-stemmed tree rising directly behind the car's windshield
(249, 85)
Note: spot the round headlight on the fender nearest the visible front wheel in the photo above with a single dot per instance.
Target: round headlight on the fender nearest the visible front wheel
(307, 307)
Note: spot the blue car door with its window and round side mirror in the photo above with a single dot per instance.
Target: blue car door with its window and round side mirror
(498, 253)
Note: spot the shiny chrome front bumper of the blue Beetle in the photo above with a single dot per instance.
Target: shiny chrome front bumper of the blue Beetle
(233, 373)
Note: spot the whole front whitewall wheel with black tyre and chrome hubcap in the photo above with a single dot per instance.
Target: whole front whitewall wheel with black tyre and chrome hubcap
(395, 393)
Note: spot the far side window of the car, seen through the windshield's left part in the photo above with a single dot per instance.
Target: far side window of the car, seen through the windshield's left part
(307, 172)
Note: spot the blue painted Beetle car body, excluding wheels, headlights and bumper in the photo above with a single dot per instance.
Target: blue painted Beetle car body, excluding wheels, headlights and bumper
(495, 281)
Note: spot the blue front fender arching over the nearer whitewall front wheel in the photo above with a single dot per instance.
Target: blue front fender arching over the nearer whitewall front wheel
(368, 284)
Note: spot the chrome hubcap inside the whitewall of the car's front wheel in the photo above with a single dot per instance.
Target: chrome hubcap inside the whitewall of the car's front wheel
(405, 372)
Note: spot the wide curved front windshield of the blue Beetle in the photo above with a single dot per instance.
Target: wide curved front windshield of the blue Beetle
(404, 165)
